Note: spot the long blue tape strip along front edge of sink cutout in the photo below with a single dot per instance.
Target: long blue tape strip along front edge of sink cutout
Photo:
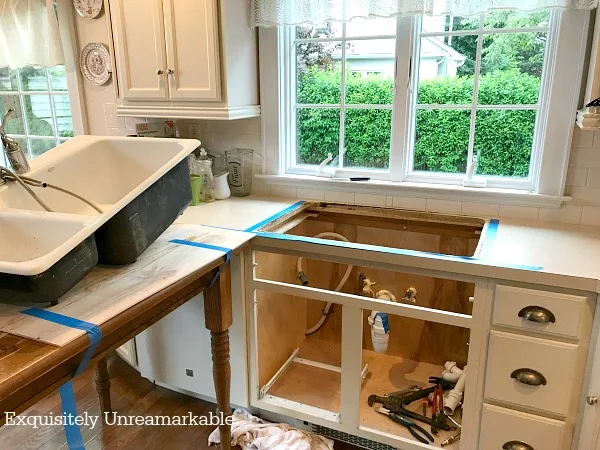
(393, 251)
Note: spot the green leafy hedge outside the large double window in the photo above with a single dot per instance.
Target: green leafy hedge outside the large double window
(503, 137)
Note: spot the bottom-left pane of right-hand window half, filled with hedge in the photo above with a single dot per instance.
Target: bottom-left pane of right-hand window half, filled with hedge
(441, 140)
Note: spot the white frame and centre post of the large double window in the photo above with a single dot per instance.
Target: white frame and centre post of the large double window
(565, 49)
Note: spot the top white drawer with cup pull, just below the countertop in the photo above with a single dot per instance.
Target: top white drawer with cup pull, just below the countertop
(568, 316)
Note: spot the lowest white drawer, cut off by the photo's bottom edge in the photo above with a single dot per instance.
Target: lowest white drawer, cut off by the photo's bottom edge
(499, 426)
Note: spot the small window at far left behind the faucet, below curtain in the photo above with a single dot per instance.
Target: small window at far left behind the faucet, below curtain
(40, 98)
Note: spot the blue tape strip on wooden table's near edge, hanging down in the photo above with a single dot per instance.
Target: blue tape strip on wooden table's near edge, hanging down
(67, 395)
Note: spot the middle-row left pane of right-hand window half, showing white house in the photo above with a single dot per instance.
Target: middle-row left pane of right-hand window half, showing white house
(446, 66)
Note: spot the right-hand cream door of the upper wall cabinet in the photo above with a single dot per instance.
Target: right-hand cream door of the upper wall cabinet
(192, 49)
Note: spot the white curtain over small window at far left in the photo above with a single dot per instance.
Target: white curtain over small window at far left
(29, 34)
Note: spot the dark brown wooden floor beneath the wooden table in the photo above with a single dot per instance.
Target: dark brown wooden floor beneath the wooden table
(131, 395)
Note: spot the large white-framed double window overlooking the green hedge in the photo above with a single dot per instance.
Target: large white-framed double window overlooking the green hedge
(419, 99)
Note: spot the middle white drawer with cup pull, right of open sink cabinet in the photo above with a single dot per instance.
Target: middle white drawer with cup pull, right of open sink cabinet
(557, 362)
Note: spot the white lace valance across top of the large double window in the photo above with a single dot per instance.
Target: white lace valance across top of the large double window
(269, 13)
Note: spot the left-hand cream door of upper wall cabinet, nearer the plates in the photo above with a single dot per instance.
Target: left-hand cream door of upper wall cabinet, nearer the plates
(138, 29)
